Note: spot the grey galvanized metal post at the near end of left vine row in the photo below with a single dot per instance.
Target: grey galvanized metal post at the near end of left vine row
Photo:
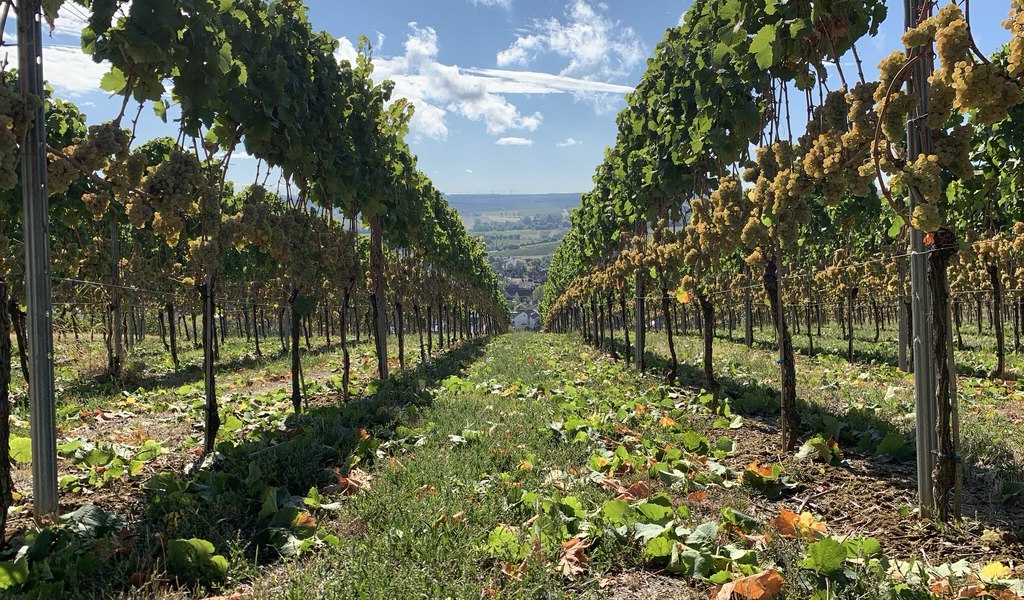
(37, 269)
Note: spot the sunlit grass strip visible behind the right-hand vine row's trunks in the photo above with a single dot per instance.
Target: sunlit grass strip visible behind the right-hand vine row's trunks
(993, 413)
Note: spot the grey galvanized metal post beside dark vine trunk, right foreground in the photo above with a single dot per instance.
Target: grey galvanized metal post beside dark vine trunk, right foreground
(920, 141)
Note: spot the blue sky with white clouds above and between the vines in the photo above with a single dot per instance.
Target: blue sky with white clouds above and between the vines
(511, 97)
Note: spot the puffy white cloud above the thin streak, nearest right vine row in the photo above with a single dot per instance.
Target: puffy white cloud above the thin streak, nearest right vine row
(594, 47)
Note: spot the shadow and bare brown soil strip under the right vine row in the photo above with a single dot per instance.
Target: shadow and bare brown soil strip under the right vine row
(880, 478)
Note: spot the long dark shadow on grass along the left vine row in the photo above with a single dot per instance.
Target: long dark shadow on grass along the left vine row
(248, 499)
